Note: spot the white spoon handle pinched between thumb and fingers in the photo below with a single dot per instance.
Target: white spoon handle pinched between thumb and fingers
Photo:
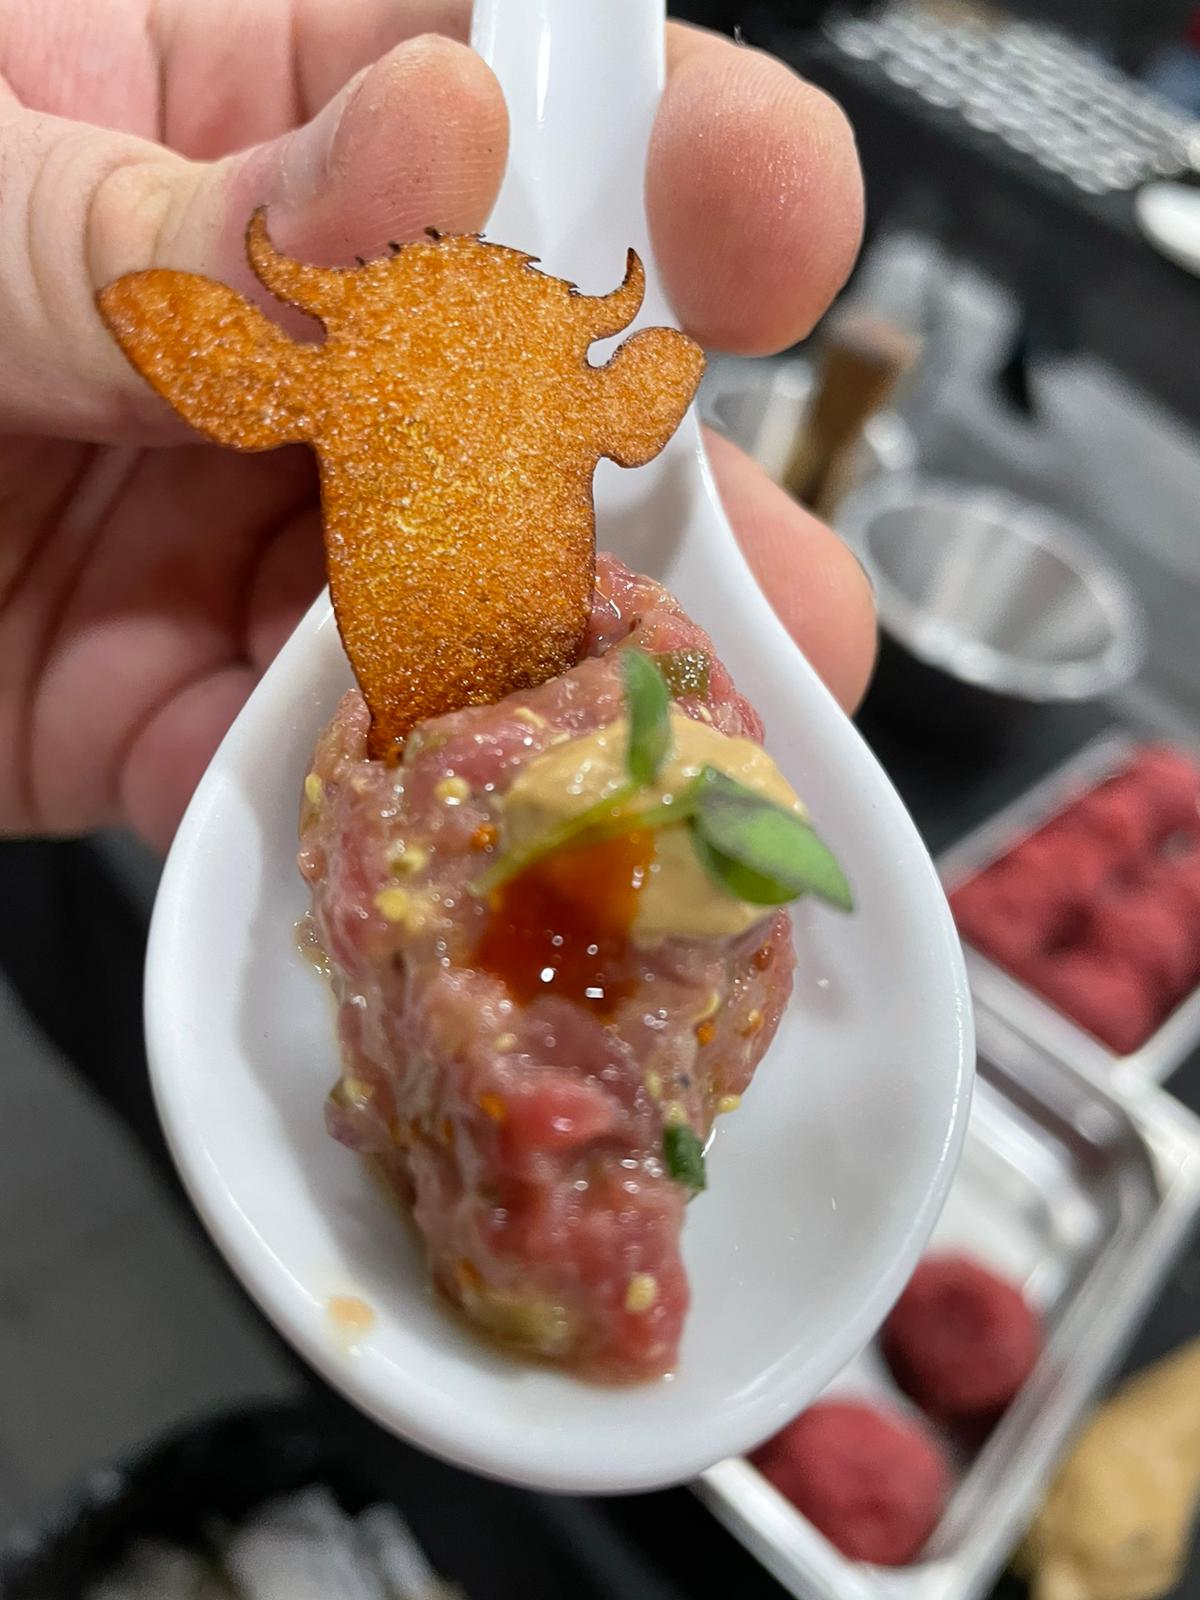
(582, 81)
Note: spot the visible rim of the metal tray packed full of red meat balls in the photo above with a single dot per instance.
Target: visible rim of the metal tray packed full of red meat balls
(999, 991)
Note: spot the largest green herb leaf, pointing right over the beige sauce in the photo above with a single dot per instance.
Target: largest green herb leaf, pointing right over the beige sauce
(761, 852)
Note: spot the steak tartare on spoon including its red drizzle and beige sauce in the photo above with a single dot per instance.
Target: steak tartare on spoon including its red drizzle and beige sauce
(532, 1068)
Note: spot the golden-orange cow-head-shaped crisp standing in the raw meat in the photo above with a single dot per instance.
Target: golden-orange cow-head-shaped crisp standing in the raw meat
(458, 423)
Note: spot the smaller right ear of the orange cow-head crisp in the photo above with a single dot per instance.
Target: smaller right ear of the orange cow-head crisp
(644, 393)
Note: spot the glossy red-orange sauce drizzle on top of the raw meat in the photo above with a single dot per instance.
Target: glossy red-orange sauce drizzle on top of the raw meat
(562, 926)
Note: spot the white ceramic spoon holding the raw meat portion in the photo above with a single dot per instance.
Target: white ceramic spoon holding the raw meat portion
(822, 1191)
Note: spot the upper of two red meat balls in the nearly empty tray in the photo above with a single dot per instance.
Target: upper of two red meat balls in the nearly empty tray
(961, 1340)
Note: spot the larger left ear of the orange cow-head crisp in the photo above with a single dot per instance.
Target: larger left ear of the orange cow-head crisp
(217, 359)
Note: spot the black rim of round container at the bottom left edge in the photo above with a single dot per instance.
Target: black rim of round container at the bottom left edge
(489, 1538)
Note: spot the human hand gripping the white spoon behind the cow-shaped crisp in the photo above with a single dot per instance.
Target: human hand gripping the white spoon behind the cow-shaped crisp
(148, 580)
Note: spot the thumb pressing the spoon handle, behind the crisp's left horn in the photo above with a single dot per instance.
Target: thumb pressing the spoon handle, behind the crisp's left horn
(417, 140)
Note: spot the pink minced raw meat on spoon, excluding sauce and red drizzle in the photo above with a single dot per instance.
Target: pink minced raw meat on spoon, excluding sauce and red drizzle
(527, 1137)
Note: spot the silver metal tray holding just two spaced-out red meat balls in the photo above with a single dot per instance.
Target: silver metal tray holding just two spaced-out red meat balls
(1084, 1193)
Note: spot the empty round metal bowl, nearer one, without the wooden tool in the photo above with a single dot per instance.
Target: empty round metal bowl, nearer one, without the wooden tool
(993, 593)
